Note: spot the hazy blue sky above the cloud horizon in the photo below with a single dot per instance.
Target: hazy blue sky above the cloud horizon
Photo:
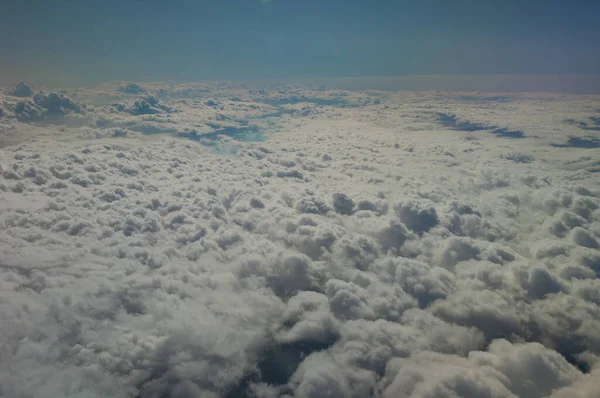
(90, 40)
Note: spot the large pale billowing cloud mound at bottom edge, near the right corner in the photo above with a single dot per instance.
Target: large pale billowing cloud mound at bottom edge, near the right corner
(504, 370)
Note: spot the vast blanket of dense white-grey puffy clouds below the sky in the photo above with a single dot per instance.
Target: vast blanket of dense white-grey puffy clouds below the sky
(361, 249)
